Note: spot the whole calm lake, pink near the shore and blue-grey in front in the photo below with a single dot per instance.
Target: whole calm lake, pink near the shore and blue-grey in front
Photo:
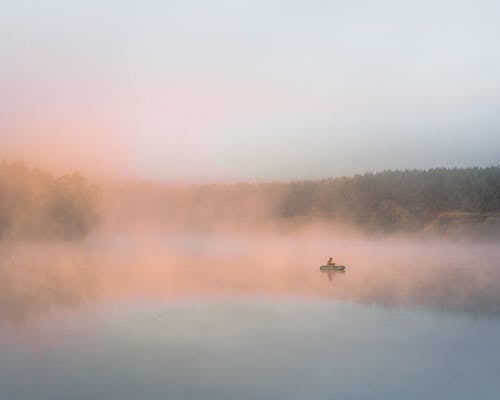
(212, 317)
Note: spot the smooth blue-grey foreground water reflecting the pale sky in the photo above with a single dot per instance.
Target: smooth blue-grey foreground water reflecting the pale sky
(268, 348)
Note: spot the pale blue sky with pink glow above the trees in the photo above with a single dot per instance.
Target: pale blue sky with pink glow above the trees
(256, 90)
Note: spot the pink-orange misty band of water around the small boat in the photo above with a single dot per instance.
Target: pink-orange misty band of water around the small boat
(36, 279)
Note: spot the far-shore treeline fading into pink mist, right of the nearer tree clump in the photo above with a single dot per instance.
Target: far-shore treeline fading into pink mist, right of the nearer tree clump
(389, 201)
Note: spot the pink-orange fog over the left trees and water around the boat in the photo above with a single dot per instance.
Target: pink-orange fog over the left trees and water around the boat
(129, 239)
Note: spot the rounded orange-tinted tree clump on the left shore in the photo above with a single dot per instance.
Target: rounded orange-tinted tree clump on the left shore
(36, 205)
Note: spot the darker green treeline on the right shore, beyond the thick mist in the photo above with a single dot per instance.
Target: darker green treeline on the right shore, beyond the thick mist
(395, 200)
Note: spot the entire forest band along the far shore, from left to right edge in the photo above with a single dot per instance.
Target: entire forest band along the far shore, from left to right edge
(36, 205)
